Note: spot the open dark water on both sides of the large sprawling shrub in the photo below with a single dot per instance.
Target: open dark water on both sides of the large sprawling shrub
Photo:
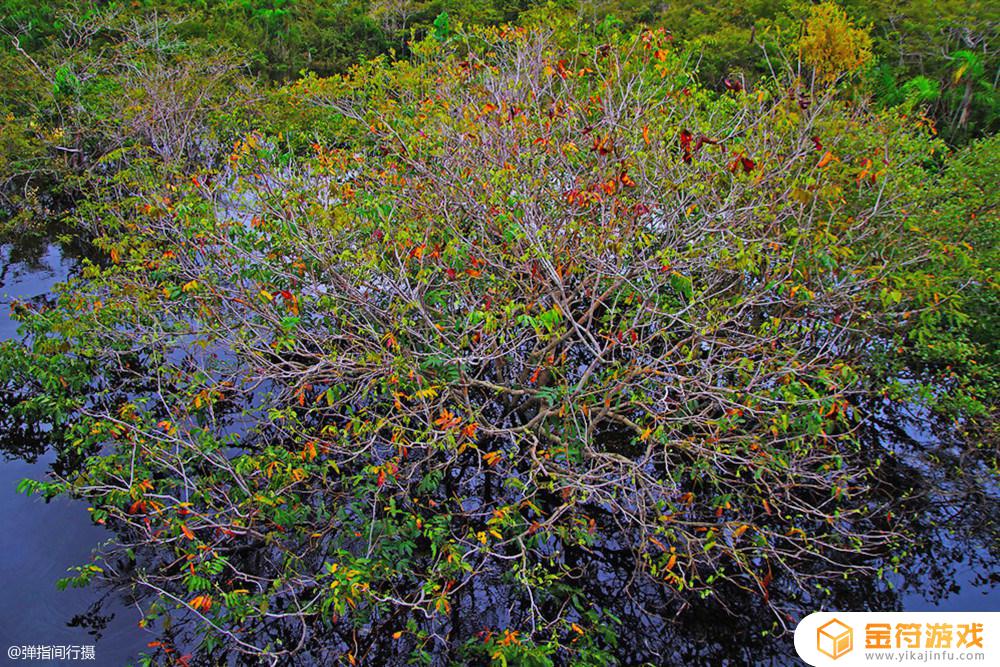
(956, 571)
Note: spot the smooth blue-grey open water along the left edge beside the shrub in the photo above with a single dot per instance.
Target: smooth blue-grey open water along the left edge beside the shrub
(41, 540)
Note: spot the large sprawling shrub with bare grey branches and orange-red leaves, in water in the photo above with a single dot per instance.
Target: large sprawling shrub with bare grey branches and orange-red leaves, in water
(529, 320)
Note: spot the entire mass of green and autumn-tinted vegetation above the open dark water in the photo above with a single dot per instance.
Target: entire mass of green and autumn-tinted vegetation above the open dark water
(410, 359)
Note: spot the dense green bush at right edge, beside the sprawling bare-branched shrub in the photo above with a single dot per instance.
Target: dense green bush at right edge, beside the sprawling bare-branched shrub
(953, 343)
